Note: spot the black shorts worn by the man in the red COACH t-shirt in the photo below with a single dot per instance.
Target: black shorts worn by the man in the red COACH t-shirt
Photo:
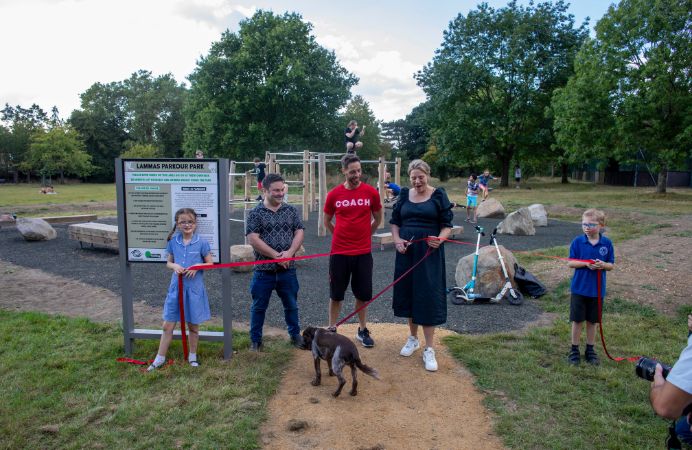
(354, 268)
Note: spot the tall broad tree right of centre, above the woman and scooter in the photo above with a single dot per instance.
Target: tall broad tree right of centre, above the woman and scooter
(490, 82)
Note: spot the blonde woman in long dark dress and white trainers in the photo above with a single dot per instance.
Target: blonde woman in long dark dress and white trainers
(421, 212)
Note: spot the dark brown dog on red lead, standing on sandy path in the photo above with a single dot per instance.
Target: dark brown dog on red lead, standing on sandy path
(338, 351)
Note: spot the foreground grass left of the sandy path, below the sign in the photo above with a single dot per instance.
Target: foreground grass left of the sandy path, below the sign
(62, 388)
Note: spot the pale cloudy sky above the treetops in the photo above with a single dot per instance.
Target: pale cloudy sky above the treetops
(53, 50)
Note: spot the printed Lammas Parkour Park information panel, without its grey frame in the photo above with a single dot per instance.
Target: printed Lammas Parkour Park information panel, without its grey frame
(154, 190)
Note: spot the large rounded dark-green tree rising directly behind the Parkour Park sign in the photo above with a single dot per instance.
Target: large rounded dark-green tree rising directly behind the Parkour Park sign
(268, 87)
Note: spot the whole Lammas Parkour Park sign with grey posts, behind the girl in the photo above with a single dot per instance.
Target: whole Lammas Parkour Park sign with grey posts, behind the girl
(149, 192)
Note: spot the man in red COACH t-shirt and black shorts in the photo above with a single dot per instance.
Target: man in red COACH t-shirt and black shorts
(358, 213)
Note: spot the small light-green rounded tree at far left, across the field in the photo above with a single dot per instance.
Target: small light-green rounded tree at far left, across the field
(58, 151)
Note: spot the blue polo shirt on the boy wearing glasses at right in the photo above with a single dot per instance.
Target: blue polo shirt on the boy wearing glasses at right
(584, 281)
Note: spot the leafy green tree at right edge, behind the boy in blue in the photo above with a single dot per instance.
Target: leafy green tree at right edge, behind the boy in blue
(632, 90)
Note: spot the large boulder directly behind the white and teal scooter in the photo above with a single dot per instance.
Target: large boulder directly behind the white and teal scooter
(489, 276)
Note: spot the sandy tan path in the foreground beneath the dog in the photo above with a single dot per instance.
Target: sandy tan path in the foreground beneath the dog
(408, 408)
